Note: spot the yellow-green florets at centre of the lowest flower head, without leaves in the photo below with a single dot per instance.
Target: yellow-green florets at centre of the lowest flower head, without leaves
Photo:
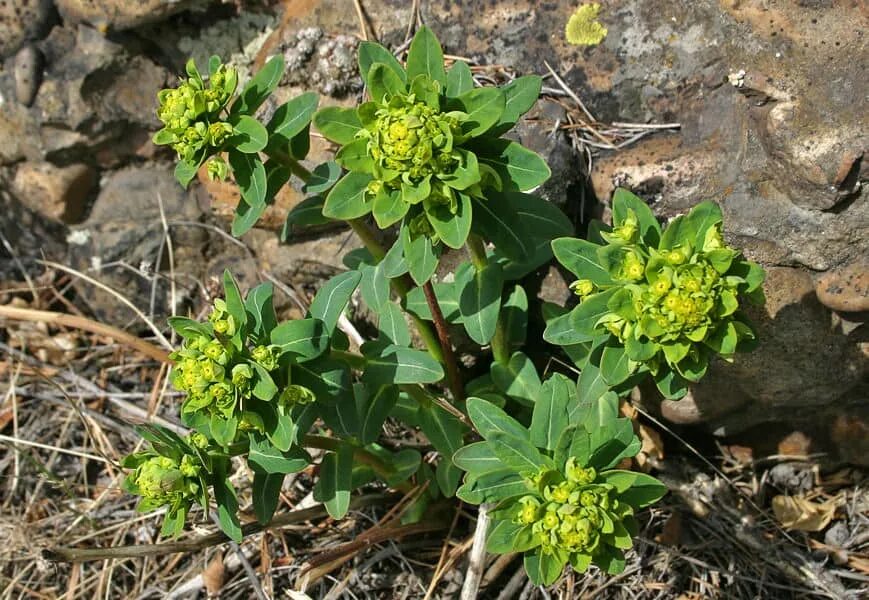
(571, 513)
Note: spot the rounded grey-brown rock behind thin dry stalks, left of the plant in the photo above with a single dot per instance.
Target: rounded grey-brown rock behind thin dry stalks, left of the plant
(122, 244)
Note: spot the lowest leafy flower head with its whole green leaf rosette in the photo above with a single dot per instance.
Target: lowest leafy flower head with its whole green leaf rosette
(559, 496)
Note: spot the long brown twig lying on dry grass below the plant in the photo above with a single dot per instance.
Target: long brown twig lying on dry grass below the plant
(66, 554)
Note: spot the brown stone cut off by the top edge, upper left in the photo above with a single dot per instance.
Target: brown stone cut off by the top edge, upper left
(120, 14)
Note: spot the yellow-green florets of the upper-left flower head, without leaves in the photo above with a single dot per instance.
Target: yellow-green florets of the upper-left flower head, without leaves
(190, 113)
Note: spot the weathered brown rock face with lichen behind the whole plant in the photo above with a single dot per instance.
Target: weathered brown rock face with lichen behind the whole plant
(771, 98)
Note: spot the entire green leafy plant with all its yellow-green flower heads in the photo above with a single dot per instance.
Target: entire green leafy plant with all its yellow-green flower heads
(425, 158)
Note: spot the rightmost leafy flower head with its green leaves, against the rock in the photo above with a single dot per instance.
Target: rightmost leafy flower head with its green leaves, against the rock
(655, 302)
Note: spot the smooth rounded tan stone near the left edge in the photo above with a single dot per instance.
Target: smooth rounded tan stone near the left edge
(58, 193)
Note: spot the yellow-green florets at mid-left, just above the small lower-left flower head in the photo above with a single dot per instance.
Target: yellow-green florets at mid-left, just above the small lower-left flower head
(216, 376)
